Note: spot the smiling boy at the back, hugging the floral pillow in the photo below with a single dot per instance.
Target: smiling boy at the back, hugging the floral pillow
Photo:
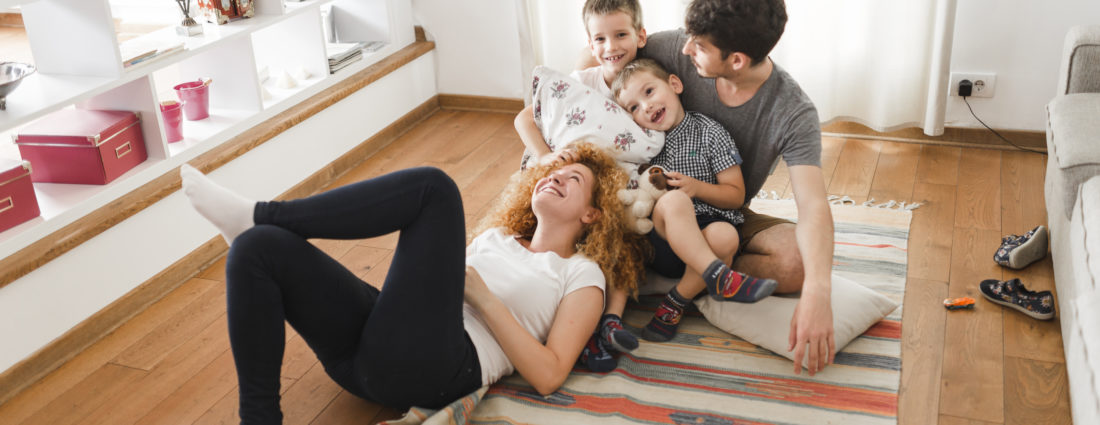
(615, 35)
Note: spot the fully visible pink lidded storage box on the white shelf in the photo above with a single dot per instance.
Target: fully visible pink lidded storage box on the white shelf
(84, 147)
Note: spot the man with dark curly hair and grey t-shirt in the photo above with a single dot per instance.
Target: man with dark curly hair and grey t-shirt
(728, 75)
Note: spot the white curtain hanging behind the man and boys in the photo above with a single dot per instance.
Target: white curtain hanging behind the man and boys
(865, 61)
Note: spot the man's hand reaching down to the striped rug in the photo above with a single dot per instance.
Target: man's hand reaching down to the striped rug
(812, 333)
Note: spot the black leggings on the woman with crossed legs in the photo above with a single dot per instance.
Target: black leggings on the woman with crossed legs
(403, 346)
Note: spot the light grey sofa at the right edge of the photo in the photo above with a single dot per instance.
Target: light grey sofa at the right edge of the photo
(1073, 204)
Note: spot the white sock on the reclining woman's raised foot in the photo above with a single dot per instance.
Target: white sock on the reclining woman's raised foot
(229, 212)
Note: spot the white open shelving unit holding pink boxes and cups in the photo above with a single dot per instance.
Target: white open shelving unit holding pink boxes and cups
(82, 68)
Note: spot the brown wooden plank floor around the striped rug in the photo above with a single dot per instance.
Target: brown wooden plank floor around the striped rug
(172, 364)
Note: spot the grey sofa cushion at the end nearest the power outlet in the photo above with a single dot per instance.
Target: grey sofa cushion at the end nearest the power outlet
(1074, 144)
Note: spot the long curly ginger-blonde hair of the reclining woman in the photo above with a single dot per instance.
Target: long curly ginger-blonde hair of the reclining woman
(609, 242)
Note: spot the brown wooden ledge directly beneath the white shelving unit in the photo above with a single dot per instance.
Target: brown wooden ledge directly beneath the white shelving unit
(42, 252)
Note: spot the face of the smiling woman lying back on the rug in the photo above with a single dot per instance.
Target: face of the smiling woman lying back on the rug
(566, 195)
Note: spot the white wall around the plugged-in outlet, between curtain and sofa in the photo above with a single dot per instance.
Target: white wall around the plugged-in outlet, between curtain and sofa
(1021, 41)
